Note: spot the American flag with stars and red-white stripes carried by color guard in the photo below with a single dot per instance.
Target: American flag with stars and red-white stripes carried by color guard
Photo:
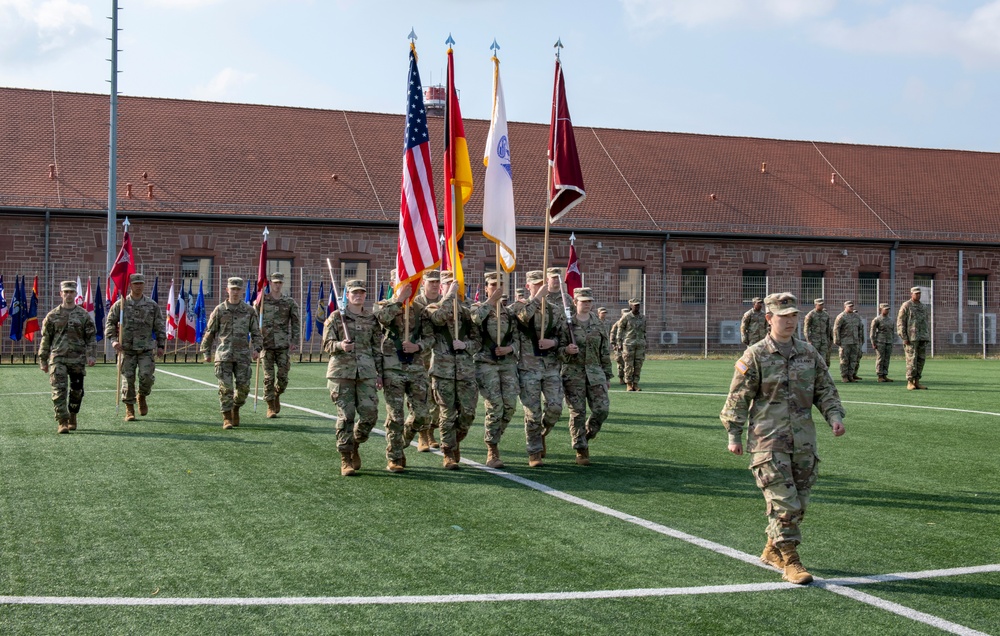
(418, 226)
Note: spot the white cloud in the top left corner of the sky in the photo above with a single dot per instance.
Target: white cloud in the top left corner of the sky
(31, 31)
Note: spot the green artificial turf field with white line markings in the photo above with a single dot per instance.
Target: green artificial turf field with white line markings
(171, 525)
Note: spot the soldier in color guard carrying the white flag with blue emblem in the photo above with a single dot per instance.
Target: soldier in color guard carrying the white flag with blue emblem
(496, 365)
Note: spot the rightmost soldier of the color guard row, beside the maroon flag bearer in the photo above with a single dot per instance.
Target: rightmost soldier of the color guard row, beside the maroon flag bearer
(586, 374)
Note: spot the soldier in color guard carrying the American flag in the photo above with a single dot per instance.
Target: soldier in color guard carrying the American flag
(404, 378)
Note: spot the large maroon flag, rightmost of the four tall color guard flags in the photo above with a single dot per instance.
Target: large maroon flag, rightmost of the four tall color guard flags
(567, 178)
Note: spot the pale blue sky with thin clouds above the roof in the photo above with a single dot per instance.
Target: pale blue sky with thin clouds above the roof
(918, 73)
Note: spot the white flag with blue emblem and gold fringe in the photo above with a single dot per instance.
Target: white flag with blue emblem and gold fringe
(498, 190)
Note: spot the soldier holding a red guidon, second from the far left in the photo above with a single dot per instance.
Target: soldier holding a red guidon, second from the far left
(143, 321)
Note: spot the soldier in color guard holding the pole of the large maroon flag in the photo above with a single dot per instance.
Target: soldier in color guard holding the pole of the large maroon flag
(538, 366)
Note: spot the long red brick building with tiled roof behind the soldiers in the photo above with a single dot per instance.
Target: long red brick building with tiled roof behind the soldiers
(696, 224)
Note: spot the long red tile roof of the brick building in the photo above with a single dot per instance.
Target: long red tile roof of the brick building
(224, 159)
